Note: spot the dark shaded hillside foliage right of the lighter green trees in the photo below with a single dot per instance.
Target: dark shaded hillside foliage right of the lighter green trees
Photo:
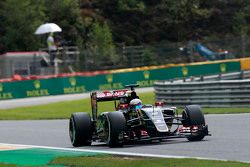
(168, 20)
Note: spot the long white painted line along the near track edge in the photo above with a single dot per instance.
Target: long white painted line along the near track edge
(114, 152)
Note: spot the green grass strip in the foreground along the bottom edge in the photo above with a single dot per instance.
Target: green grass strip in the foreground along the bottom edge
(116, 161)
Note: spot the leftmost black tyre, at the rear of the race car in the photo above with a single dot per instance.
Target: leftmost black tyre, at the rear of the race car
(80, 129)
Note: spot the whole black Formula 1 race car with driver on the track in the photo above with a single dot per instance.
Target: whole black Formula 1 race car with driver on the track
(131, 121)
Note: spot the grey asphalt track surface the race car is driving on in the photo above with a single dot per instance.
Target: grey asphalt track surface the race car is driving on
(229, 140)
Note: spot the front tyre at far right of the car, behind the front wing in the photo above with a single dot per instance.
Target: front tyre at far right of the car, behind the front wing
(192, 116)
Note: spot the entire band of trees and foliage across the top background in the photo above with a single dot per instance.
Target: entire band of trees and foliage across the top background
(133, 22)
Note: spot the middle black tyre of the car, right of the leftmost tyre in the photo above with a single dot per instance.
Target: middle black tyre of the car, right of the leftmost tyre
(115, 128)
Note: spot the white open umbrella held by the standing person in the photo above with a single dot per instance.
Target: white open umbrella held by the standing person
(47, 28)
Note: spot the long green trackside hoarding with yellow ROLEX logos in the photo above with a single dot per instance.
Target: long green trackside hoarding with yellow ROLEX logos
(145, 77)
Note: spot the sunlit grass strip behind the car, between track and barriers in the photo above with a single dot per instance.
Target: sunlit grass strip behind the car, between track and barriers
(63, 110)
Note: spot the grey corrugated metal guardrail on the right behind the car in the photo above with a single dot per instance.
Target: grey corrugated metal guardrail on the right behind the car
(210, 93)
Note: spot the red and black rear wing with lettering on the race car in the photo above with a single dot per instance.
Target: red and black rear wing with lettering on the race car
(104, 96)
